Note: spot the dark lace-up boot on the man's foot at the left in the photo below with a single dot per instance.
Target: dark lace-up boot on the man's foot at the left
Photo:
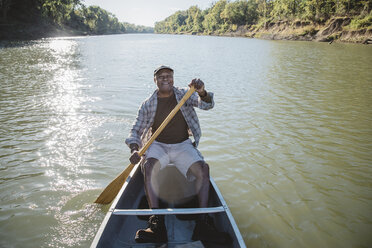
(156, 231)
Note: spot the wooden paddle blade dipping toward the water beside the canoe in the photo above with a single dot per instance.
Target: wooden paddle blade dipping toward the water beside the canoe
(110, 192)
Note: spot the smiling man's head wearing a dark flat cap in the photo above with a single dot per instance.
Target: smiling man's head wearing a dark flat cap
(163, 77)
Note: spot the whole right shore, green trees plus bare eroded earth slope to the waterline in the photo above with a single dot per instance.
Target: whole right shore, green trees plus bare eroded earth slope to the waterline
(306, 20)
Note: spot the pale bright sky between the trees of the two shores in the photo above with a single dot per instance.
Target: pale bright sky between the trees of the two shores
(146, 12)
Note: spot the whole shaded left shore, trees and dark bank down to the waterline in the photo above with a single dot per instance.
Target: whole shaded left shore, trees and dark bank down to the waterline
(35, 19)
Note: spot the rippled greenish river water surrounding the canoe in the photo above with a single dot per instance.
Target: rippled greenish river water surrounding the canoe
(289, 141)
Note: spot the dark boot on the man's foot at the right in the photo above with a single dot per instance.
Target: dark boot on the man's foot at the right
(206, 231)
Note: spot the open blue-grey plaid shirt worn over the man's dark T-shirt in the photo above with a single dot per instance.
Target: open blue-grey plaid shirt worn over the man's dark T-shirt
(141, 130)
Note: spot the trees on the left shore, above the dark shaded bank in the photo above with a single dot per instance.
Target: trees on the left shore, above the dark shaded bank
(71, 14)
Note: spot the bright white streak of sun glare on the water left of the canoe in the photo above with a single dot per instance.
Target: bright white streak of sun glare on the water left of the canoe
(69, 144)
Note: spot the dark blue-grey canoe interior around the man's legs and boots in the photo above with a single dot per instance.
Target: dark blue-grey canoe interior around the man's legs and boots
(120, 230)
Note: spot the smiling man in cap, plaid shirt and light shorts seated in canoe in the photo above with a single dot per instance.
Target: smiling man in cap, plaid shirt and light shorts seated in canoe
(171, 146)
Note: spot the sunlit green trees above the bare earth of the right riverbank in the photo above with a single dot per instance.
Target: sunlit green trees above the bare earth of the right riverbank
(224, 16)
